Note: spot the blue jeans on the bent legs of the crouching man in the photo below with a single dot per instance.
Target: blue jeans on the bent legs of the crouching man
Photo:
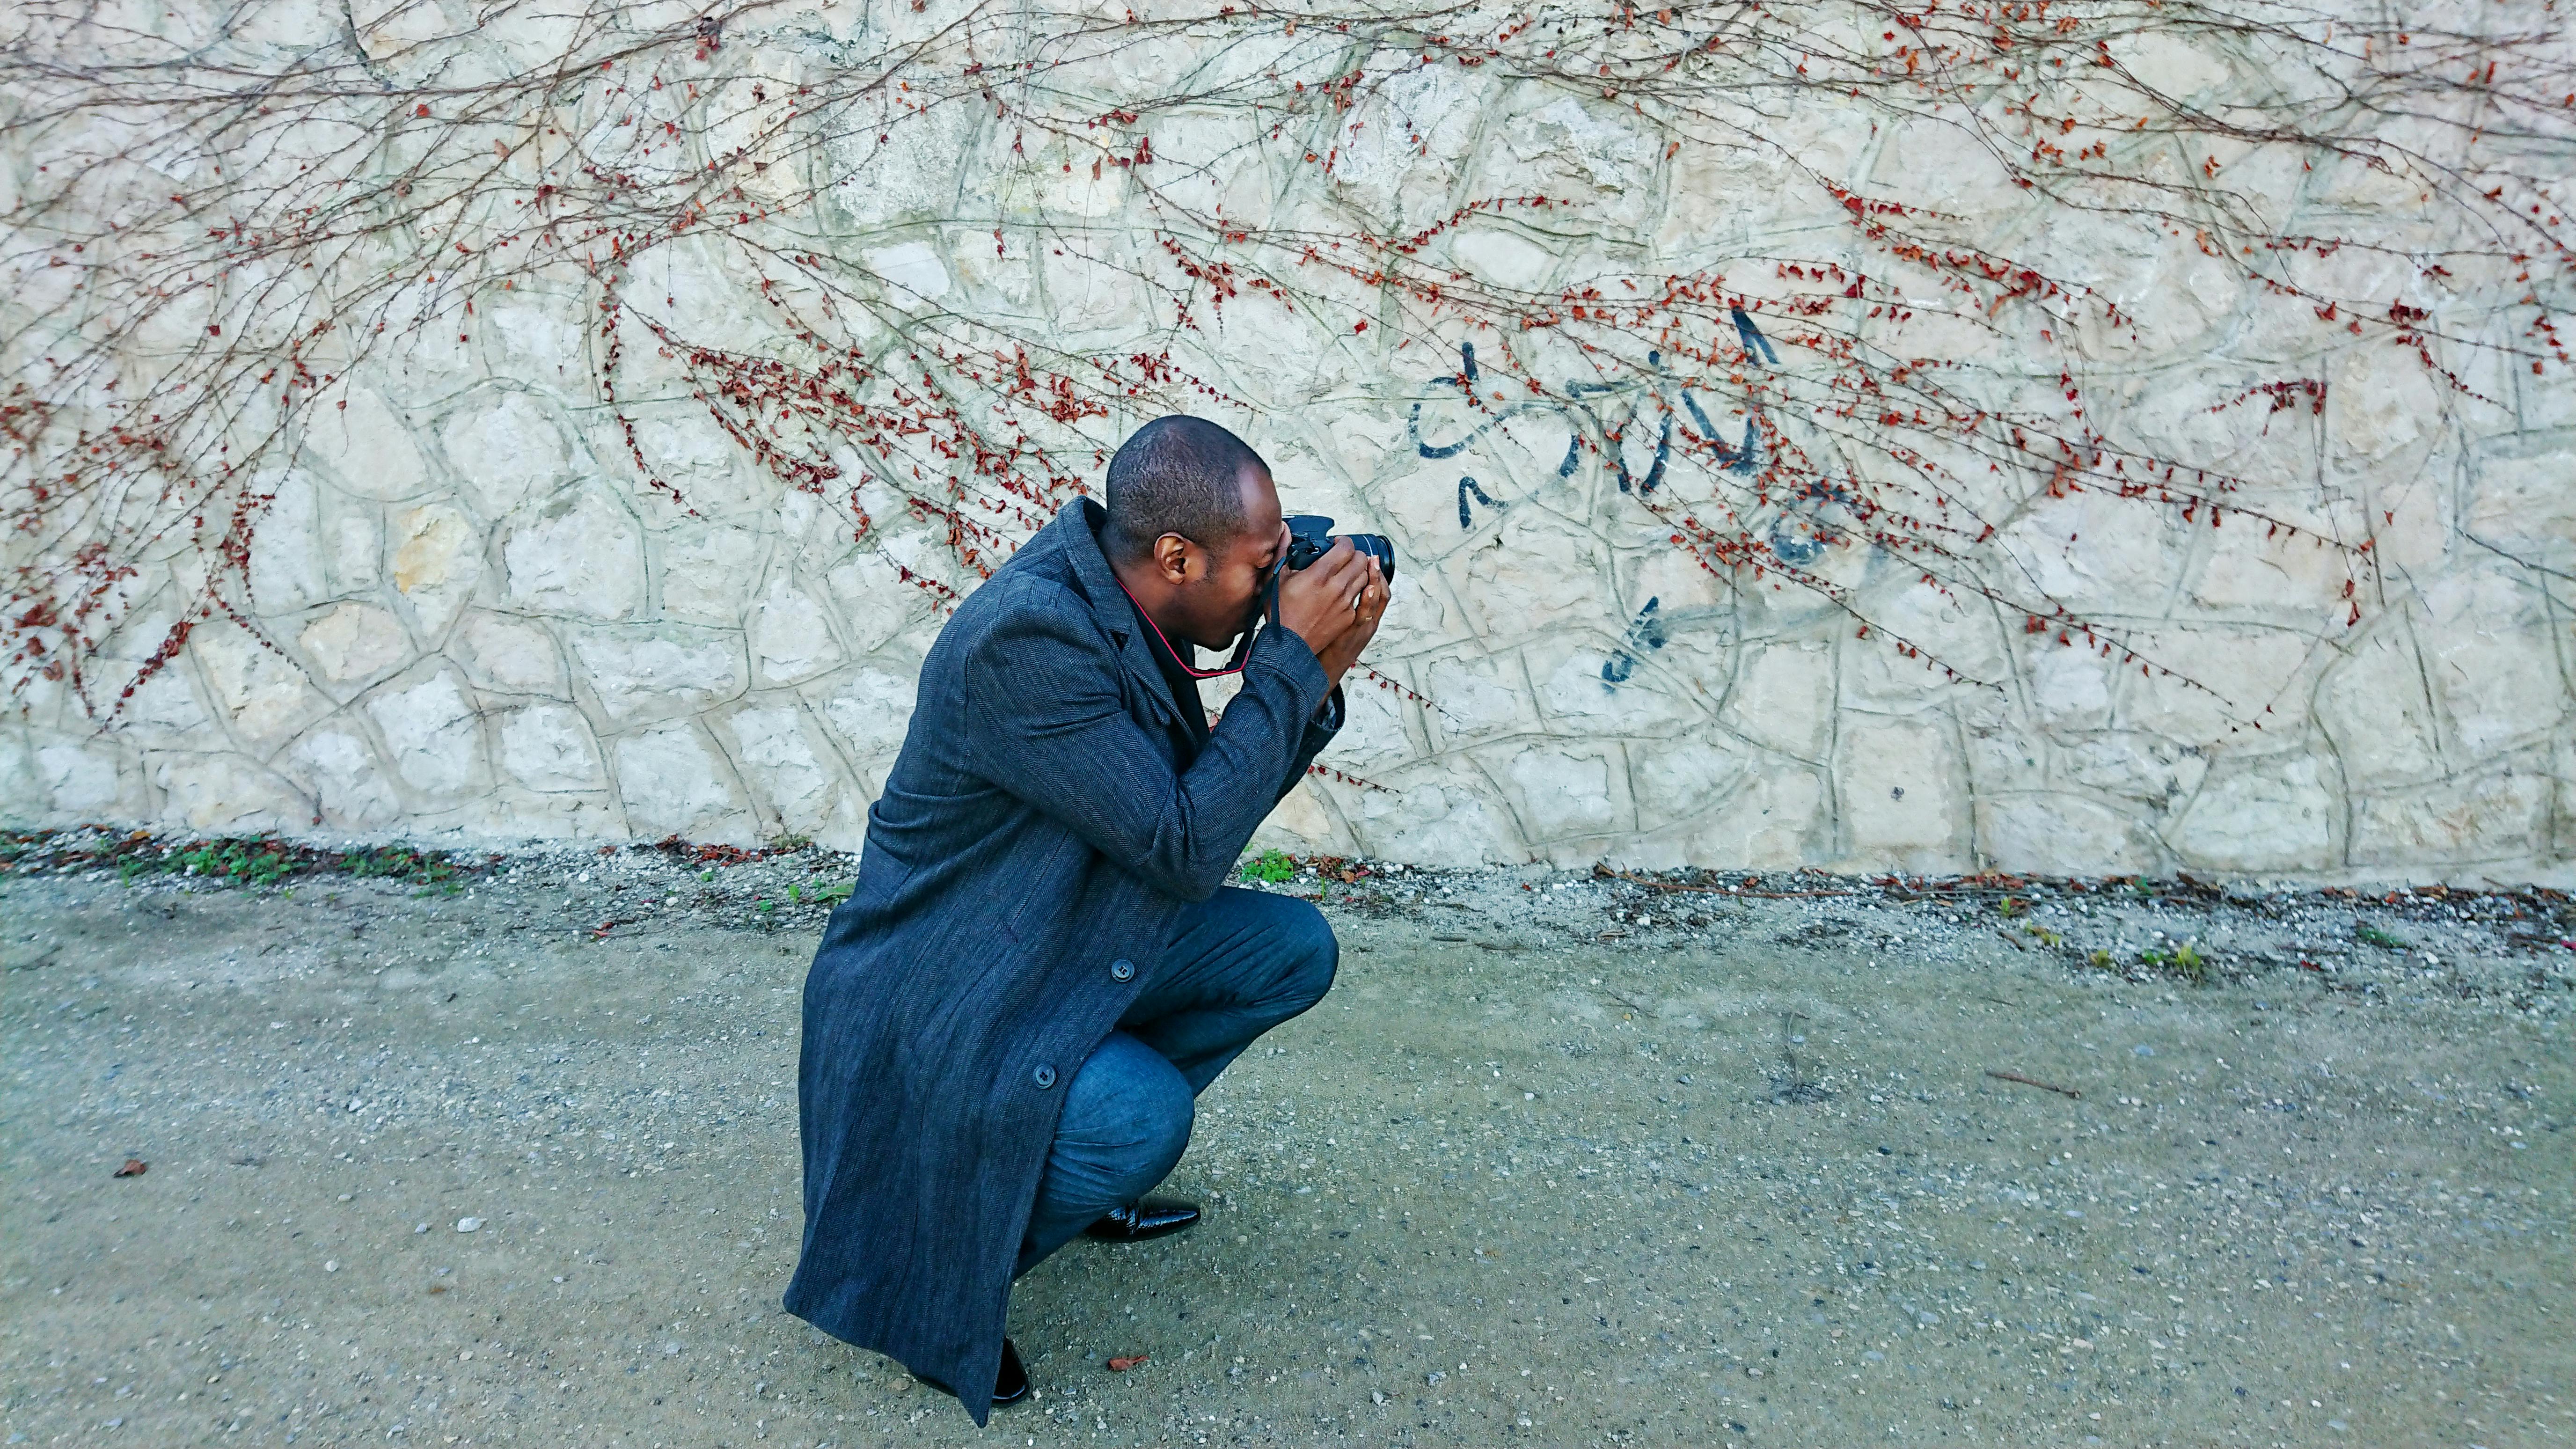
(1240, 963)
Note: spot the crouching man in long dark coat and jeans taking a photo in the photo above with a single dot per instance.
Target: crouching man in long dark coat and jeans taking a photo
(1039, 968)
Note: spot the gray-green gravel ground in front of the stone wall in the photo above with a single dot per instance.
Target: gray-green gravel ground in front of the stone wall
(506, 1151)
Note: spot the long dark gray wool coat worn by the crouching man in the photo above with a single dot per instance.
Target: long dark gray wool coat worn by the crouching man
(1039, 829)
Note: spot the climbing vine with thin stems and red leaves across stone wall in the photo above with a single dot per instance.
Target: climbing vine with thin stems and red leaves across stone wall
(223, 220)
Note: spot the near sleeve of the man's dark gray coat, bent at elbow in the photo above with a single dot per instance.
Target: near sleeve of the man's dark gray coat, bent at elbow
(1050, 723)
